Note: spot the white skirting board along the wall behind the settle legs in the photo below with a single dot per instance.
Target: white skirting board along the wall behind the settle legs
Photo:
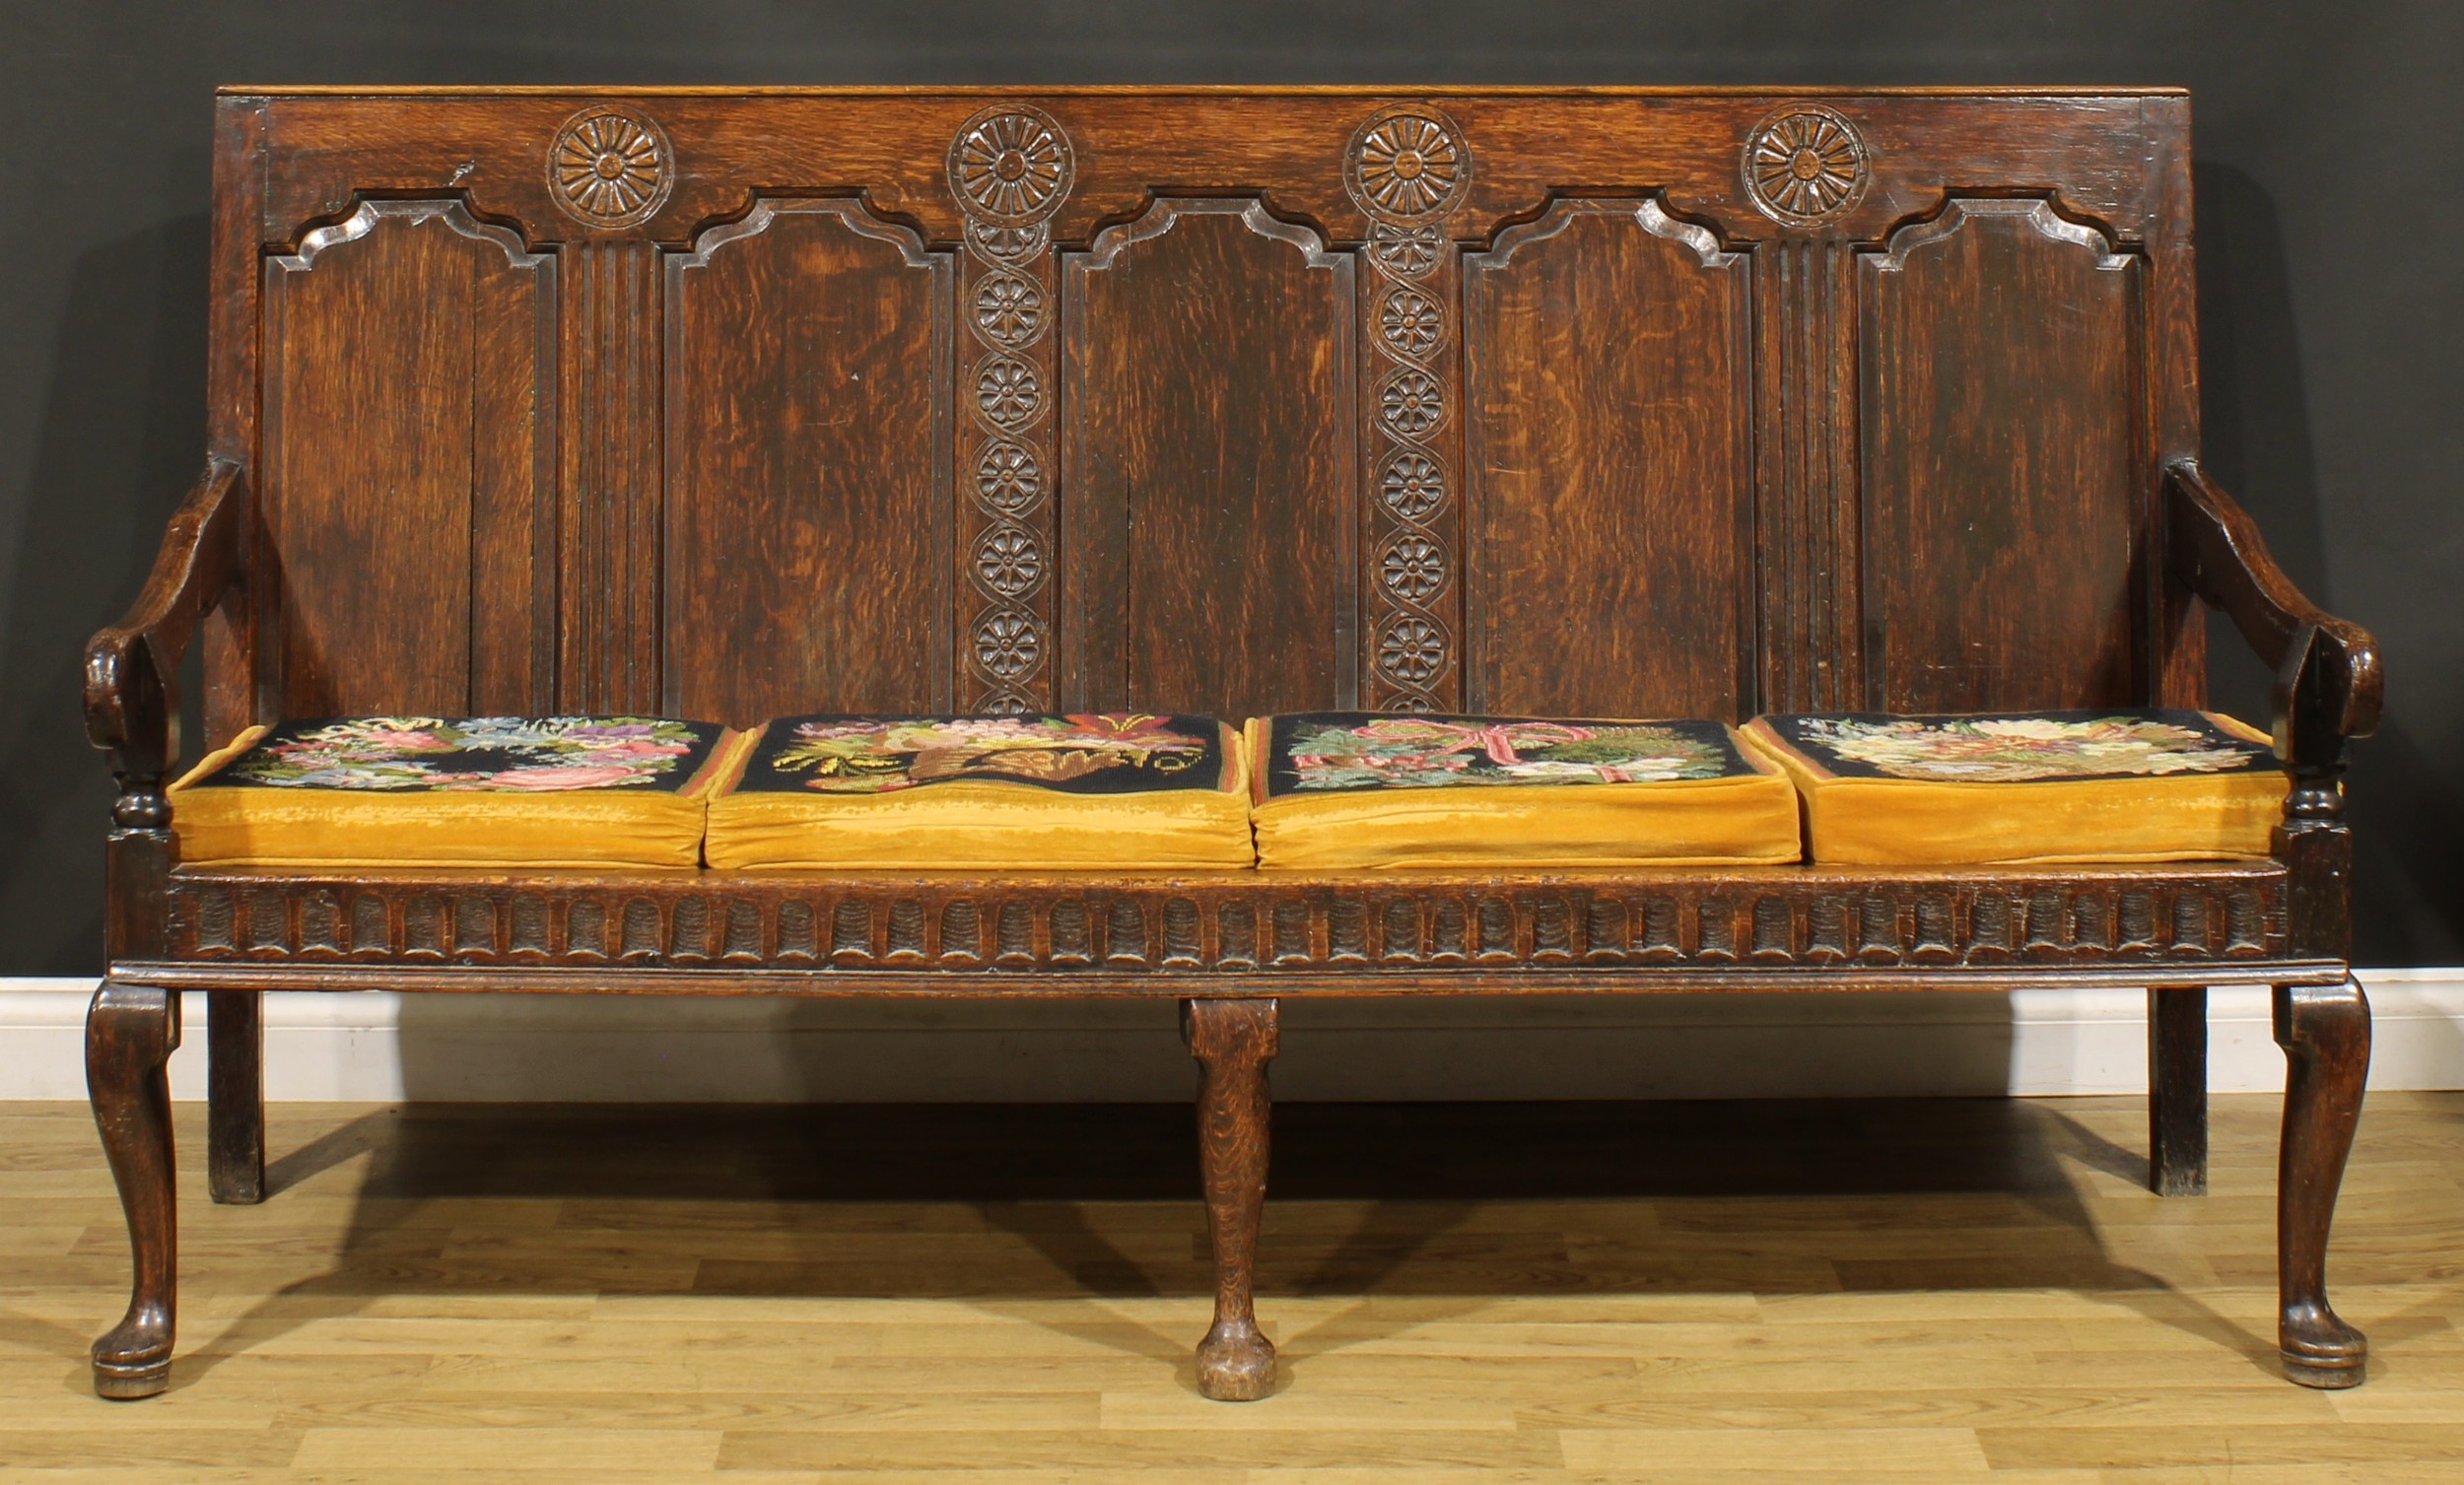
(708, 1050)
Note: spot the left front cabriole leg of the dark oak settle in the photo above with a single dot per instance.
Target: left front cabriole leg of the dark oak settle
(129, 1038)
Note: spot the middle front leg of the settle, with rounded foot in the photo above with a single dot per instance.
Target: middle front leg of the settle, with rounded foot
(1233, 1043)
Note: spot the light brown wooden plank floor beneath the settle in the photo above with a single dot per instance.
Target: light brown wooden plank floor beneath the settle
(1741, 1292)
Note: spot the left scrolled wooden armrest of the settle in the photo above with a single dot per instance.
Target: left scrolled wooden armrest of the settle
(132, 708)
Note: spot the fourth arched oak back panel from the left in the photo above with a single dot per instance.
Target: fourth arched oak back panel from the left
(1610, 467)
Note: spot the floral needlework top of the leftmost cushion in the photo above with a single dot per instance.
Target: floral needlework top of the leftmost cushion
(477, 755)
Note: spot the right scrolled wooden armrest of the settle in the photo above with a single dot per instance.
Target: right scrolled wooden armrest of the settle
(2330, 683)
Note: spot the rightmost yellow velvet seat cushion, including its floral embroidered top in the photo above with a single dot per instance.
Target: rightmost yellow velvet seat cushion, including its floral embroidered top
(2024, 789)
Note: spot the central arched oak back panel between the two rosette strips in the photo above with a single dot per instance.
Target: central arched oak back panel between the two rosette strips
(1209, 477)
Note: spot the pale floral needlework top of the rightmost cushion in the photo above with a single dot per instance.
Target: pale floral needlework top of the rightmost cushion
(2024, 750)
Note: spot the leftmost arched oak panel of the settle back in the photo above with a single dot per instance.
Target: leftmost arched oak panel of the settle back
(408, 477)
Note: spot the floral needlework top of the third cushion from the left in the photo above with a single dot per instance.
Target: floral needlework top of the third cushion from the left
(1354, 750)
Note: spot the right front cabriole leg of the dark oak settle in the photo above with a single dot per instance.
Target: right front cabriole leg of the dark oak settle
(2327, 1048)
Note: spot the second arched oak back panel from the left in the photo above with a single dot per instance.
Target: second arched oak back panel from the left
(809, 526)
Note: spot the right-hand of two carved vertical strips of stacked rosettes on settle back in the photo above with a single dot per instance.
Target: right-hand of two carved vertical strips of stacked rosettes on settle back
(1411, 169)
